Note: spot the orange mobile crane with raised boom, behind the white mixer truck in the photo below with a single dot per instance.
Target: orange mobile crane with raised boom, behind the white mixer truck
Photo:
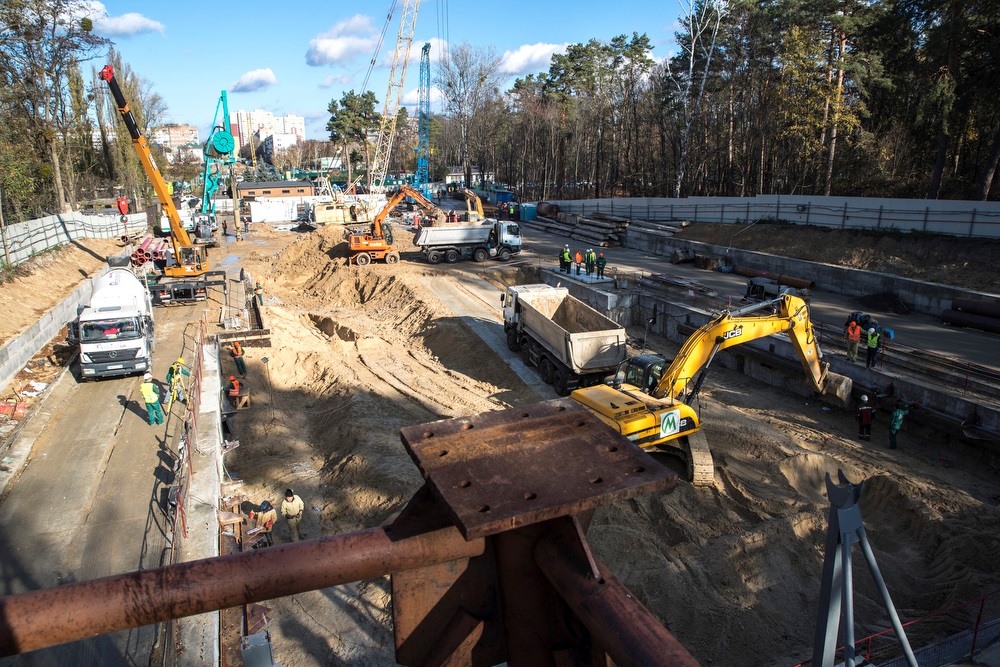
(188, 277)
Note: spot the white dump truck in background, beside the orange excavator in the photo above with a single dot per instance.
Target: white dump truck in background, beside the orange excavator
(493, 238)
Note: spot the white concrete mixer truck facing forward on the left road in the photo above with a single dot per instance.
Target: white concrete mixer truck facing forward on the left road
(115, 329)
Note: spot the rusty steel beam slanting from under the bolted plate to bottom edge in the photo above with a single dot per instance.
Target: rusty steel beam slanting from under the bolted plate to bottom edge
(617, 621)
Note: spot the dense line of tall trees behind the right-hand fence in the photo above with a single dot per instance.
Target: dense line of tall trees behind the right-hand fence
(822, 97)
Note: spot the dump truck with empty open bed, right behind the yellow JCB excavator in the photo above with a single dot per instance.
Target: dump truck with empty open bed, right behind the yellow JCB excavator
(570, 343)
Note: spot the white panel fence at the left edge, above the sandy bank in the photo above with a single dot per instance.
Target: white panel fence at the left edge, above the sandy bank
(25, 239)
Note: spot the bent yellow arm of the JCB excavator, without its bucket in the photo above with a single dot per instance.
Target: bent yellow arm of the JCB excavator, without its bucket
(790, 315)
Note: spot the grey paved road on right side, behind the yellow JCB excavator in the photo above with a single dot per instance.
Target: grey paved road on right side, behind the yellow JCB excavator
(914, 330)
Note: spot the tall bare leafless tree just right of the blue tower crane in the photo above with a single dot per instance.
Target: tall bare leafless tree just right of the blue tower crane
(468, 77)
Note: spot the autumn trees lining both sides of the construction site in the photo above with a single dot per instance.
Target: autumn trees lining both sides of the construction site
(822, 97)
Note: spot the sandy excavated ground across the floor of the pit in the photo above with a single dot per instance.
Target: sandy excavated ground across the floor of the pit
(359, 353)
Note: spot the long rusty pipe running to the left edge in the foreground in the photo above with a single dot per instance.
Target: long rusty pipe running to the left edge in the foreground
(38, 619)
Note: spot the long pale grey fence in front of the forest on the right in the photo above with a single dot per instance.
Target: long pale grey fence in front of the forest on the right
(955, 218)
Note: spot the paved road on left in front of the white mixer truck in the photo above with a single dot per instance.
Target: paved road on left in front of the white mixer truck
(89, 502)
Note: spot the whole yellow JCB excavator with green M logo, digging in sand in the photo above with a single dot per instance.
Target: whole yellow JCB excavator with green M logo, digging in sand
(650, 400)
